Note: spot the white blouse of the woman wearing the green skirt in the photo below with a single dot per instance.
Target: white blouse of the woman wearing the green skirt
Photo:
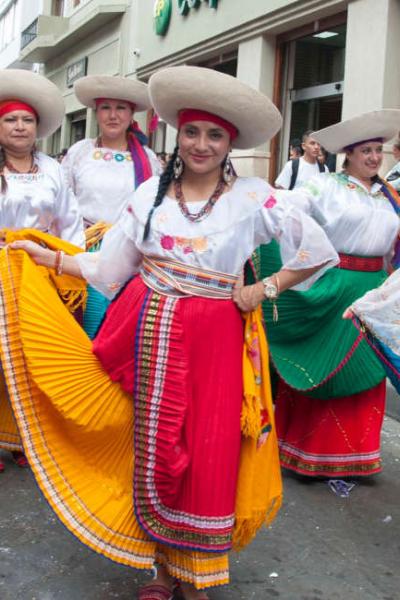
(357, 221)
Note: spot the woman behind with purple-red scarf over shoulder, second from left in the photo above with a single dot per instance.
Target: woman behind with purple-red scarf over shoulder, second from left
(103, 171)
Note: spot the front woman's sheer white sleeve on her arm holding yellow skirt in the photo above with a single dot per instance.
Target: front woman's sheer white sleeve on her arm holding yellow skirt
(118, 259)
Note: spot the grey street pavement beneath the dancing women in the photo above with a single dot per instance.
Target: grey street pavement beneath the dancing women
(320, 547)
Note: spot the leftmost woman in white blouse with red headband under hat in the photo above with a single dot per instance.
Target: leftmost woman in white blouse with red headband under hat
(33, 190)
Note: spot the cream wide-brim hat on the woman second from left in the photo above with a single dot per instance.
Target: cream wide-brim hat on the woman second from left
(88, 88)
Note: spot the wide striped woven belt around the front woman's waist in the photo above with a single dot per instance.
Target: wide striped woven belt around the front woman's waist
(172, 278)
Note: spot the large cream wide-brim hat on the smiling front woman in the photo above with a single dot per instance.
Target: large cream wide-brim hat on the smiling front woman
(252, 113)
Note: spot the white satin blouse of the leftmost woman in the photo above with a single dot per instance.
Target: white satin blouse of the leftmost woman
(42, 201)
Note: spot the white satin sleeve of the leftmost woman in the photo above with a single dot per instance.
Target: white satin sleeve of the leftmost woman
(68, 222)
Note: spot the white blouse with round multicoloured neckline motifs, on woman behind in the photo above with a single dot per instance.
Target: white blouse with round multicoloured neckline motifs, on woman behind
(102, 179)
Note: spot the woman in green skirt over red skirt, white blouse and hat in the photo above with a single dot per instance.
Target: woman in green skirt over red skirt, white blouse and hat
(331, 395)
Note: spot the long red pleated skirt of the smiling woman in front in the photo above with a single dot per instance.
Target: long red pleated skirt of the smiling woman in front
(181, 358)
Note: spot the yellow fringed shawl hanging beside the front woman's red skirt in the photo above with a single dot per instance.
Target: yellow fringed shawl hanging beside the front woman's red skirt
(259, 491)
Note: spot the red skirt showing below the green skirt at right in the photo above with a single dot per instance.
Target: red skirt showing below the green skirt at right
(331, 438)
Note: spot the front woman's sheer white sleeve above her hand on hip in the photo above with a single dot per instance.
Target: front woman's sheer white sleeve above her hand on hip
(303, 243)
